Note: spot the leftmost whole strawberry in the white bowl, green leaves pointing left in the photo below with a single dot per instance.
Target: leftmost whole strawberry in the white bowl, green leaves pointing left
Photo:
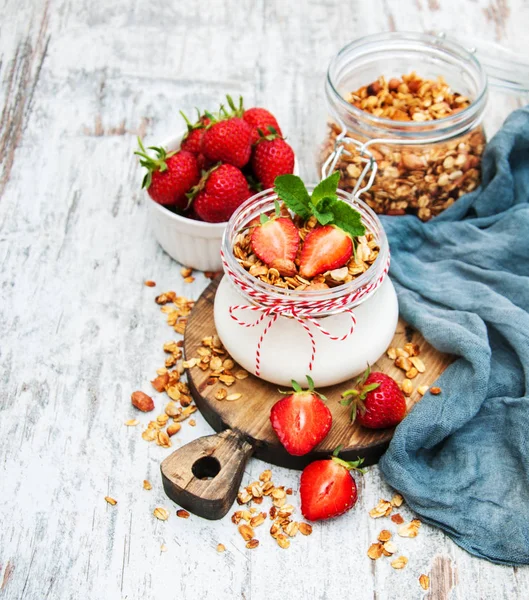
(169, 176)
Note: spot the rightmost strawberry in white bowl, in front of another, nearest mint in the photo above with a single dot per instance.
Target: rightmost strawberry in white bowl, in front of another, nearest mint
(271, 157)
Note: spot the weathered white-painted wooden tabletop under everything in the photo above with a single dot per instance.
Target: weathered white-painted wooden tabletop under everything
(79, 331)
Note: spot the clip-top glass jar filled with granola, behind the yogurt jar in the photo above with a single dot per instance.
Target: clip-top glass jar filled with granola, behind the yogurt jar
(417, 100)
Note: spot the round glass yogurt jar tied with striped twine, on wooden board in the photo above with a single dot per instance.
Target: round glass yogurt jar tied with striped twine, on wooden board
(284, 334)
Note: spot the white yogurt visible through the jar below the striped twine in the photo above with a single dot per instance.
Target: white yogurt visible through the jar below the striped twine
(286, 349)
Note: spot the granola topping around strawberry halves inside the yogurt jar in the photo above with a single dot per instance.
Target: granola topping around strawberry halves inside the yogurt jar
(366, 251)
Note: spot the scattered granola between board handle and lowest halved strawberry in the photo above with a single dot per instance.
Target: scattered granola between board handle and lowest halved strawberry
(283, 526)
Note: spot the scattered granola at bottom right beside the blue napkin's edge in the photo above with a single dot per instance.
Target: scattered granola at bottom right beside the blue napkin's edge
(384, 546)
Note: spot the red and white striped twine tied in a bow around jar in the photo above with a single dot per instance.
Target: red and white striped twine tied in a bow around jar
(303, 311)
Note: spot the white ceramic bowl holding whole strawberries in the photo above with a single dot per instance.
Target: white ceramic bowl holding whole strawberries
(192, 243)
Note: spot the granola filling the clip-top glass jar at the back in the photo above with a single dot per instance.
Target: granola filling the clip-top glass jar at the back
(421, 180)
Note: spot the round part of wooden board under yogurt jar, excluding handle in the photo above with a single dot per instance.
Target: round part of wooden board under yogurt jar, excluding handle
(250, 415)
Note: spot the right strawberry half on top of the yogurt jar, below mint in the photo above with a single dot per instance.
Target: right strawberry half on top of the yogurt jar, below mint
(325, 248)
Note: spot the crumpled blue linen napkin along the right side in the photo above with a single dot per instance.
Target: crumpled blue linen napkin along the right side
(461, 459)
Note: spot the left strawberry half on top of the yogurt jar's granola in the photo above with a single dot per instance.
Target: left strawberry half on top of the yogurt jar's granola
(275, 238)
